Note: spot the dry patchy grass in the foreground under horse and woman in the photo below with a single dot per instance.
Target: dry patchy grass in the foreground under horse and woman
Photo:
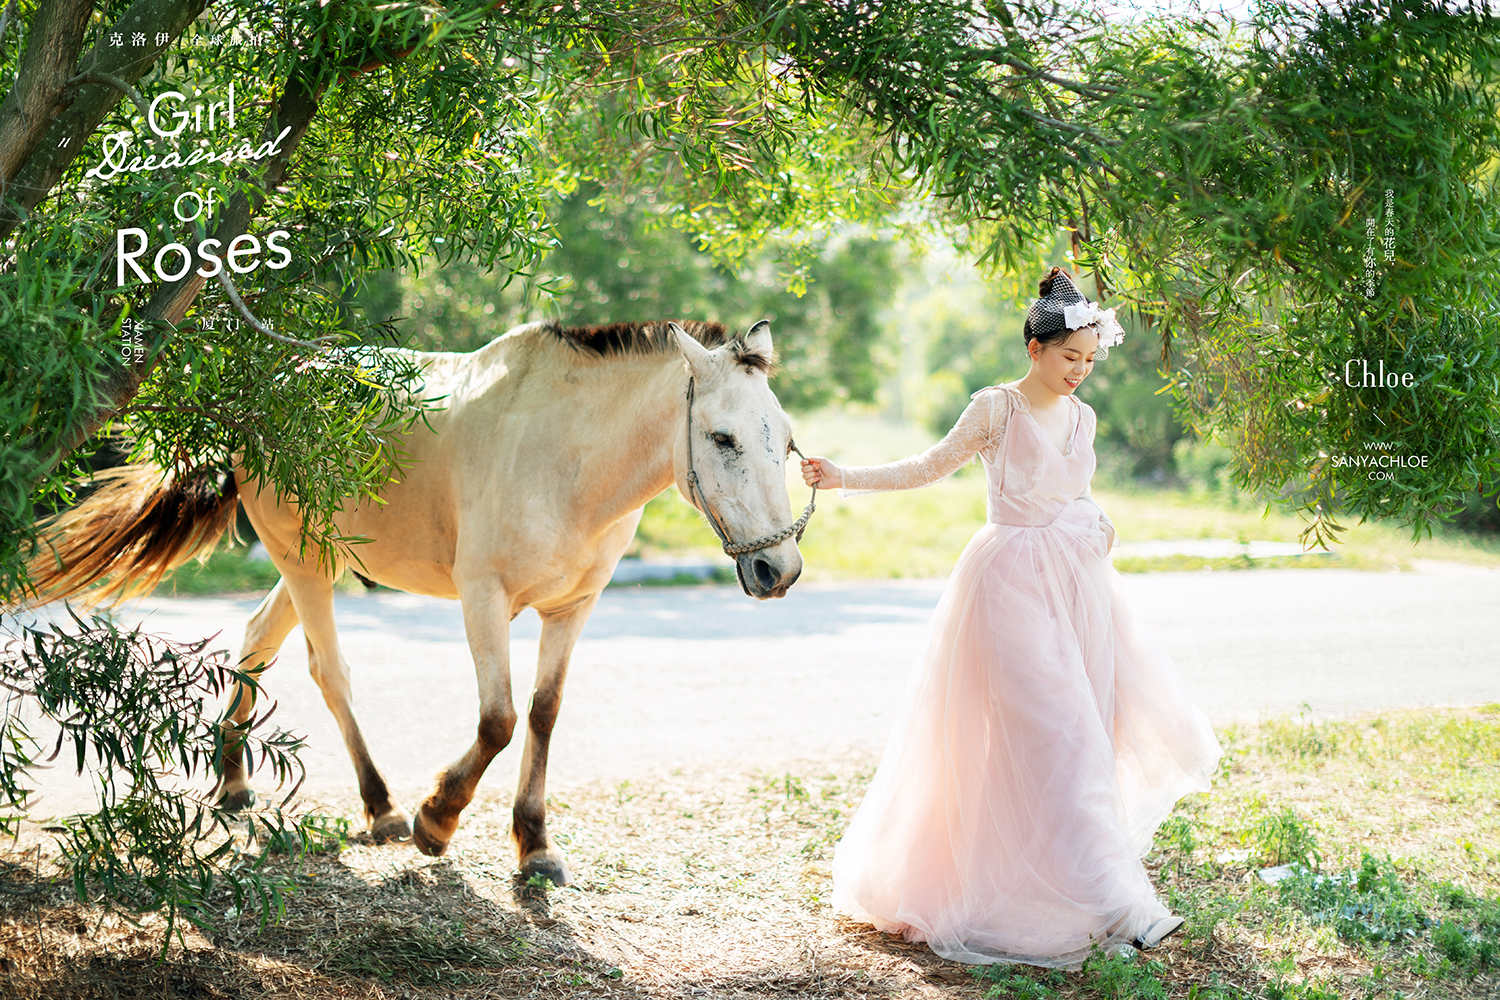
(716, 882)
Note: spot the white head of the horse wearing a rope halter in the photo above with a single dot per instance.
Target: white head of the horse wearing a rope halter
(736, 449)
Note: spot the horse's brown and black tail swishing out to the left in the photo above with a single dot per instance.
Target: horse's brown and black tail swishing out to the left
(137, 527)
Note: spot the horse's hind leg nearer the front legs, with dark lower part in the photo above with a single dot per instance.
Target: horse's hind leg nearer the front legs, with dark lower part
(313, 596)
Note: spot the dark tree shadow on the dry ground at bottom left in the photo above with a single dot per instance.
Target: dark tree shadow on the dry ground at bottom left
(425, 930)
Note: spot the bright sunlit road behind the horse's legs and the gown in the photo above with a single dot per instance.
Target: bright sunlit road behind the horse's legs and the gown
(668, 677)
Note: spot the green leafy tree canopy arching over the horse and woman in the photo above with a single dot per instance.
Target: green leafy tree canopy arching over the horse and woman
(1277, 202)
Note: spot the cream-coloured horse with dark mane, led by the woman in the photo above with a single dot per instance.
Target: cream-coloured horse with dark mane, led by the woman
(524, 491)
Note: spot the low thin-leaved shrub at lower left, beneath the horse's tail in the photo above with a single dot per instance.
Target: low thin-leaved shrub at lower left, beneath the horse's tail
(133, 710)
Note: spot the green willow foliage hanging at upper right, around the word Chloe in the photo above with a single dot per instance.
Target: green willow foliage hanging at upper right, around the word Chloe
(1301, 208)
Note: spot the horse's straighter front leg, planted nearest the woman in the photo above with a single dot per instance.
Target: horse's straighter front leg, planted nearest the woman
(539, 857)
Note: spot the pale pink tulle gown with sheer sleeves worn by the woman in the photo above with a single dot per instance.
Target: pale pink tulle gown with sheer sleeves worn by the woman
(1045, 735)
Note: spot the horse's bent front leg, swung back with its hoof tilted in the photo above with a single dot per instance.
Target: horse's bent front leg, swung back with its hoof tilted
(487, 621)
